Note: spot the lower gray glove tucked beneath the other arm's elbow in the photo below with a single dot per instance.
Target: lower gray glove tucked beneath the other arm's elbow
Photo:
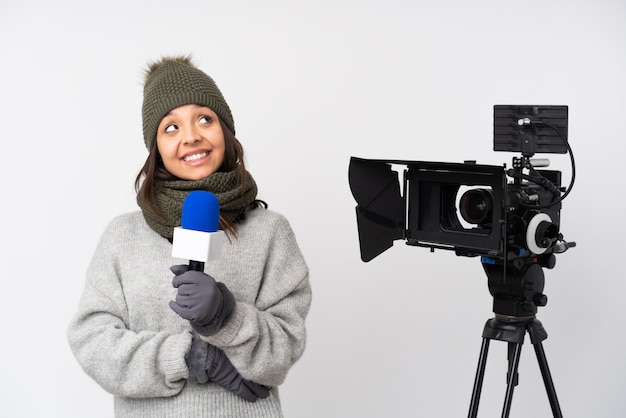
(208, 363)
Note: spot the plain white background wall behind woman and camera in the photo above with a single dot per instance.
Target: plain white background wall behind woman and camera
(310, 85)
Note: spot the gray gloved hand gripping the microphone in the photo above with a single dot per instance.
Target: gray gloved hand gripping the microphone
(201, 300)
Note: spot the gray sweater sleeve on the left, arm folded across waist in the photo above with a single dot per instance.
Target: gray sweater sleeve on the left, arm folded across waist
(123, 361)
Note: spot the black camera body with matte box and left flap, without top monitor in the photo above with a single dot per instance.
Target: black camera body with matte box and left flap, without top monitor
(469, 208)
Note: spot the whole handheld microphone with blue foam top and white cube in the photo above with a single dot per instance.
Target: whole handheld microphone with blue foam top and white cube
(198, 239)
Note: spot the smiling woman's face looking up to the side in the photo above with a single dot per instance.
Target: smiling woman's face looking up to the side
(191, 142)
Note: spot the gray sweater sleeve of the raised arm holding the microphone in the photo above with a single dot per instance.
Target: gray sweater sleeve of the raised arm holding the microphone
(264, 339)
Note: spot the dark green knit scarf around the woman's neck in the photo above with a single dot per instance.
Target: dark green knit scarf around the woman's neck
(170, 195)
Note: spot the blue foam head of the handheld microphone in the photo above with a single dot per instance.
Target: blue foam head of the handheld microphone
(201, 211)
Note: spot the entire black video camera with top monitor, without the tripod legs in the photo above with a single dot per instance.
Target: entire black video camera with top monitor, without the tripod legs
(474, 209)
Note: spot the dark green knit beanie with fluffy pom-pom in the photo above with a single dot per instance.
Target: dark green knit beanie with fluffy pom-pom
(173, 82)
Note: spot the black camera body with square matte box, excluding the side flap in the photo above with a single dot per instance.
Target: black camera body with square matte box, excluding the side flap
(473, 210)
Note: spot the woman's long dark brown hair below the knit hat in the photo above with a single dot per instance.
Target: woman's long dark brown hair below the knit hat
(154, 169)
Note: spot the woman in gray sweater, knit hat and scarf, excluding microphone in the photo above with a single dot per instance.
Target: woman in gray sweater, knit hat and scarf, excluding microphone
(203, 344)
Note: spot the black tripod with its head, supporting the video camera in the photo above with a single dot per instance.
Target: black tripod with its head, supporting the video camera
(515, 315)
